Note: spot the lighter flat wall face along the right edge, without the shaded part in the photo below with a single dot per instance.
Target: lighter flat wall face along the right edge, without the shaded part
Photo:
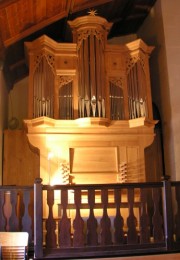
(171, 18)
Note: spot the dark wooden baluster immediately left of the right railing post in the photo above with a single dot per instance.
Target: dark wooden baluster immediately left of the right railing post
(157, 218)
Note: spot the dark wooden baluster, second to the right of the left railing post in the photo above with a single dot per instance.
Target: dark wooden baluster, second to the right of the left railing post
(64, 223)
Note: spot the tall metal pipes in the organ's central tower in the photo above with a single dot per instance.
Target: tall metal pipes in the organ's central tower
(91, 97)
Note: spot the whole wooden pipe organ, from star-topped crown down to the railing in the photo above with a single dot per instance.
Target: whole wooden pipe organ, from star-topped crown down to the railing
(90, 107)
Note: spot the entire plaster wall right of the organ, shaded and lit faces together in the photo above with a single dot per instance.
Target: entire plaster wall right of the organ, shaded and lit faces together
(161, 29)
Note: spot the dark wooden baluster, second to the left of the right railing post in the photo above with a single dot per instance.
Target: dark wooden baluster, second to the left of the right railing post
(144, 219)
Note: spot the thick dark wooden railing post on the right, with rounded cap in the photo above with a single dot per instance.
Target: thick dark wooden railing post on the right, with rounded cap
(168, 214)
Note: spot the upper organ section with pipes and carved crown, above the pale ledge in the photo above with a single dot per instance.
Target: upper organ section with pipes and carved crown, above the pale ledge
(97, 68)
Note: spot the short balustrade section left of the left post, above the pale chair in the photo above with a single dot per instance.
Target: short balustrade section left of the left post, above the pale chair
(16, 209)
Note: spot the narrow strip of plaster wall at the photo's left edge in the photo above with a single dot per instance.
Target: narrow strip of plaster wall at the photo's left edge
(3, 115)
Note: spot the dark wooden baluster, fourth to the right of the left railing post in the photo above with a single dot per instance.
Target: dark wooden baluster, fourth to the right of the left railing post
(92, 236)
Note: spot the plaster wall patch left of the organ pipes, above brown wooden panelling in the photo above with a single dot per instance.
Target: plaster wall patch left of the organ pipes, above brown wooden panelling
(18, 102)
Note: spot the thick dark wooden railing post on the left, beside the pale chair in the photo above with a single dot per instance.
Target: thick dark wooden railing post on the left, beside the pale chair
(38, 222)
